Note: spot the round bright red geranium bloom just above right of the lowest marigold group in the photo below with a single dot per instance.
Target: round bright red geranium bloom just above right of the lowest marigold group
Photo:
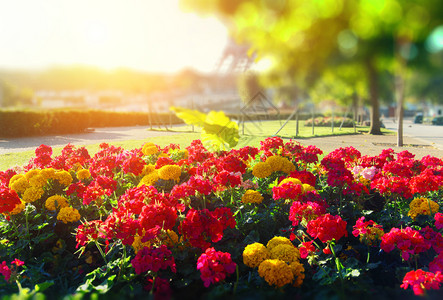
(327, 227)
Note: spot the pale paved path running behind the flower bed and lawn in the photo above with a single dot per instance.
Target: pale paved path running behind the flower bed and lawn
(366, 144)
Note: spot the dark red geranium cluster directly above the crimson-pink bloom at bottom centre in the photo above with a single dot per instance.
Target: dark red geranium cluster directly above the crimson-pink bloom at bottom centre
(201, 227)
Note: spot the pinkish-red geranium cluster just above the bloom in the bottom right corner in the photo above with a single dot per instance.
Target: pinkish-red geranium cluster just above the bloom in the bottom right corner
(407, 240)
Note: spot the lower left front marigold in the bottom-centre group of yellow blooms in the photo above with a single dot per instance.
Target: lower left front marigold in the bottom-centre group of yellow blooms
(276, 272)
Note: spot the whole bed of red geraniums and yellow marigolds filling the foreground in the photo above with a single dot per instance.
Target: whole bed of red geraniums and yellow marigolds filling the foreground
(273, 221)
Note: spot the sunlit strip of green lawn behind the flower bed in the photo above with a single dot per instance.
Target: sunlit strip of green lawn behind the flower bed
(250, 135)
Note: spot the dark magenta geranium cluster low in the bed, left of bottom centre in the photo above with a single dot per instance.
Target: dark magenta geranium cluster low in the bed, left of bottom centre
(153, 259)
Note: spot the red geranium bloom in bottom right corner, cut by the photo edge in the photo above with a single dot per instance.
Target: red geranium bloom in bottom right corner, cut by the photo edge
(420, 281)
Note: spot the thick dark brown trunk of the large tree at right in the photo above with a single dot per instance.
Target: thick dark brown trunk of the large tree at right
(373, 98)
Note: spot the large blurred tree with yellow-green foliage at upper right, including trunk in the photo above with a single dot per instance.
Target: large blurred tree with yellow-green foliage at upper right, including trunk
(302, 37)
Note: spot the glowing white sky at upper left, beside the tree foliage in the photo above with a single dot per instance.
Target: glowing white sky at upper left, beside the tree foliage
(148, 35)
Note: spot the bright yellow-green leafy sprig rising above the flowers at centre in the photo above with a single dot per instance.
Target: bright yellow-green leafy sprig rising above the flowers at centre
(218, 131)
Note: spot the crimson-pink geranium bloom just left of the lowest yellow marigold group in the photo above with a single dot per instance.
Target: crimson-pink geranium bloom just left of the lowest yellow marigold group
(214, 266)
